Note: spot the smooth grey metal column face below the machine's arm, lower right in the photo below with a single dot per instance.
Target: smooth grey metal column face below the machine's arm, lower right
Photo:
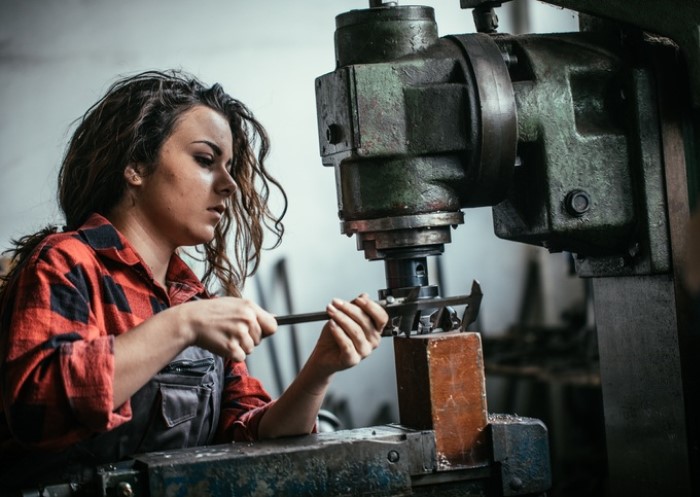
(642, 380)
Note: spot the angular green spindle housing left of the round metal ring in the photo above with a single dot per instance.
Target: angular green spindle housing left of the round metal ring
(396, 157)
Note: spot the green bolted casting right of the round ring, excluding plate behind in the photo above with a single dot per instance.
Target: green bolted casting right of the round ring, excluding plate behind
(572, 139)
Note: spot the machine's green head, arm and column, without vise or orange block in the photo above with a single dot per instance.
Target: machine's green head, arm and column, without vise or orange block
(583, 142)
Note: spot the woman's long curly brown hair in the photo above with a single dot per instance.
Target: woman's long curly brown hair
(129, 124)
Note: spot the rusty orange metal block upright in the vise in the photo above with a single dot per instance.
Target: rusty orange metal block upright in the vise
(441, 387)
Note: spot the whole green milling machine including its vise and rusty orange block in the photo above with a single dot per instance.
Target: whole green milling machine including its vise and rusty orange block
(583, 142)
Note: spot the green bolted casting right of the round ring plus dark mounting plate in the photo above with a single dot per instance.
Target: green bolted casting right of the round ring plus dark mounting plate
(587, 123)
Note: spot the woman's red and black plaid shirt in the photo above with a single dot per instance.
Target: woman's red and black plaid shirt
(74, 295)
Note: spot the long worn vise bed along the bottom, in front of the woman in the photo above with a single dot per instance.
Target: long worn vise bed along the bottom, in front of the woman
(376, 461)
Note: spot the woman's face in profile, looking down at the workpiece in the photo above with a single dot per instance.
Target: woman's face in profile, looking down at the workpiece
(183, 199)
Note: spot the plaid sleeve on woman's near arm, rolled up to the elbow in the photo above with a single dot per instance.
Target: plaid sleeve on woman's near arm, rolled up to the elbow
(59, 363)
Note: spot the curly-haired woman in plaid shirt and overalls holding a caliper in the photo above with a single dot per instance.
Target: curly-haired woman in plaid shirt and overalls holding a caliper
(110, 345)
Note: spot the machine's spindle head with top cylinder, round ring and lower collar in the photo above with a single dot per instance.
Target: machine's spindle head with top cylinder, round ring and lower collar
(415, 131)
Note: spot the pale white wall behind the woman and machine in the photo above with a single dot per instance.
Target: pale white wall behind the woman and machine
(57, 58)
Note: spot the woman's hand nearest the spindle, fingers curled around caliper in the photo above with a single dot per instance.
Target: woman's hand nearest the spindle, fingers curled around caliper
(352, 333)
